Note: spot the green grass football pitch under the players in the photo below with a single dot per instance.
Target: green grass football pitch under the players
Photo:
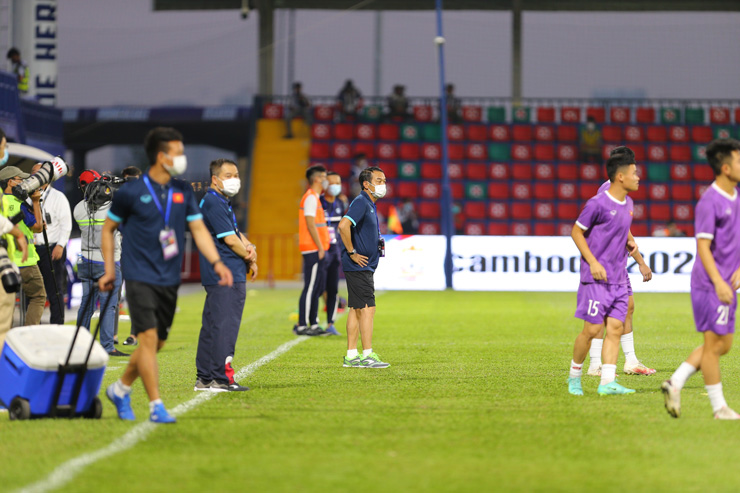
(475, 400)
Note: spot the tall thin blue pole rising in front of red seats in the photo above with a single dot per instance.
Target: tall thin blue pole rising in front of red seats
(447, 223)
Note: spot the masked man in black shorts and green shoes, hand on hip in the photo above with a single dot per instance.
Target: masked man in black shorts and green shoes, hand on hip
(363, 245)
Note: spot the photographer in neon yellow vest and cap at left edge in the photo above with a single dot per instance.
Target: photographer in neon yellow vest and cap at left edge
(32, 282)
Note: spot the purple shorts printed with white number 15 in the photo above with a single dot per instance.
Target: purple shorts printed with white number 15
(596, 301)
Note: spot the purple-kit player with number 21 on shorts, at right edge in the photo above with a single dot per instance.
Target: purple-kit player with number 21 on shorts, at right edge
(714, 279)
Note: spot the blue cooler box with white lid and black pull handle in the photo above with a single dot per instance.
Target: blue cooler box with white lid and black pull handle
(29, 366)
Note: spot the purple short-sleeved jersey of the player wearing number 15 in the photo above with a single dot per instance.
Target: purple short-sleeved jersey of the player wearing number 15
(607, 223)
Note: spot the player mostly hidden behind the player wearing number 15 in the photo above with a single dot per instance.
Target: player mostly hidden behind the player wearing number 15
(632, 365)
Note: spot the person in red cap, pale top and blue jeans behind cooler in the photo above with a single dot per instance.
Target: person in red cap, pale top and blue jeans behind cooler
(90, 214)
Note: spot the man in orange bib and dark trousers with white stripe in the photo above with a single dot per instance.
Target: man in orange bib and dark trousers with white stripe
(313, 241)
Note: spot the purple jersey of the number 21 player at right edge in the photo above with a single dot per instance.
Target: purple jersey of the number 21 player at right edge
(717, 218)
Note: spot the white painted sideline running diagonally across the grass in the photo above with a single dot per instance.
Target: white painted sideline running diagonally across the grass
(68, 470)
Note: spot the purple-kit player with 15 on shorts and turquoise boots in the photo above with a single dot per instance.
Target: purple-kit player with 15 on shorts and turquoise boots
(601, 234)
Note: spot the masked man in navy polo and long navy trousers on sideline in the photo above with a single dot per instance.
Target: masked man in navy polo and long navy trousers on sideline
(222, 311)
